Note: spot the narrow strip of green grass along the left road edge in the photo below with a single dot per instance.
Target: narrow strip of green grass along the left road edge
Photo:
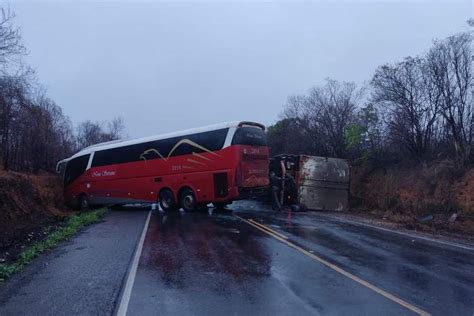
(73, 225)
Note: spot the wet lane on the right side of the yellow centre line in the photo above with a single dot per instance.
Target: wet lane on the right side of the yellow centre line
(435, 277)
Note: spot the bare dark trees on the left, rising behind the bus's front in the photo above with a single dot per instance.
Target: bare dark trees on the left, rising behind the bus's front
(34, 132)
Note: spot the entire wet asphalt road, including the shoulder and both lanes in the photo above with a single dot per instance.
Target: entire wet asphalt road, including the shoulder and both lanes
(246, 261)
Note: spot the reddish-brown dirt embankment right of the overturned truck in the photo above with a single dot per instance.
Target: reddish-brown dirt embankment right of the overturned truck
(422, 197)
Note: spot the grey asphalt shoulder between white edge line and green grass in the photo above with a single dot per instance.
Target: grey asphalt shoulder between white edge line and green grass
(81, 276)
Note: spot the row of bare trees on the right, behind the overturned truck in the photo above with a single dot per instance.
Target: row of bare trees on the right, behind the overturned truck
(420, 108)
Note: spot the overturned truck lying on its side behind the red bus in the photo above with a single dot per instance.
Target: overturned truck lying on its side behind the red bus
(309, 182)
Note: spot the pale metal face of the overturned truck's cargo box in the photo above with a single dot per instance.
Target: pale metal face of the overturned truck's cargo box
(323, 183)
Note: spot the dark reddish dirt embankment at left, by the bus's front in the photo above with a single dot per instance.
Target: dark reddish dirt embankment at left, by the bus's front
(29, 204)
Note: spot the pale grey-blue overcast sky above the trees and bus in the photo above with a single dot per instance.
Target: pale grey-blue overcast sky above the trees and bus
(165, 66)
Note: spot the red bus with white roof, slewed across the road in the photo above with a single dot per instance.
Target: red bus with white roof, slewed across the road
(217, 163)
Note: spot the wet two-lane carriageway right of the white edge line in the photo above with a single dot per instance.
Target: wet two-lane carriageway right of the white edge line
(216, 263)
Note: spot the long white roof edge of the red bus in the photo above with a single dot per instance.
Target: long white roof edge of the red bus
(127, 142)
